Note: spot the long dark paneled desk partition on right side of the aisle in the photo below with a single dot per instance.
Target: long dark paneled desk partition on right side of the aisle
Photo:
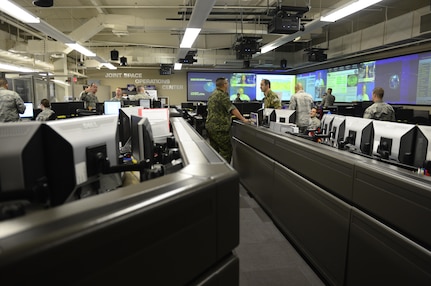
(357, 221)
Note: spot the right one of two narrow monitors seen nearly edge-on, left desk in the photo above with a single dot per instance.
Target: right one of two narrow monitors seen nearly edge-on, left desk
(142, 139)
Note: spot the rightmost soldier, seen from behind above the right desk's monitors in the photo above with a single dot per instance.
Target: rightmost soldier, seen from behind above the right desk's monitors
(379, 110)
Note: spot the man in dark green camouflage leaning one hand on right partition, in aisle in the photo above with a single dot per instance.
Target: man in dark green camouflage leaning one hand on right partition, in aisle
(219, 119)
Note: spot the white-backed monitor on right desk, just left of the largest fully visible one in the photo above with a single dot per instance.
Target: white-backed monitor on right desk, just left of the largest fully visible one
(359, 133)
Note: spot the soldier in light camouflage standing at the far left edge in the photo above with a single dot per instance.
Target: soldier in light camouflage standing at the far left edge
(11, 104)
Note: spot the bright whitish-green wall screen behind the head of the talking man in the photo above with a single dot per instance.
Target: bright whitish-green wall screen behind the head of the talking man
(282, 84)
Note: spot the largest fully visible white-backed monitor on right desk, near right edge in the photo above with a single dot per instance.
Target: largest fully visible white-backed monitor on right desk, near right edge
(394, 141)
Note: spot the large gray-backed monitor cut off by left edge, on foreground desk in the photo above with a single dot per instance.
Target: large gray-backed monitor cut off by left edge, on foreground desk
(22, 160)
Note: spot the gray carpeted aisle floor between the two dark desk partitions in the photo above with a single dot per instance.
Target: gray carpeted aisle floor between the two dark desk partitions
(266, 256)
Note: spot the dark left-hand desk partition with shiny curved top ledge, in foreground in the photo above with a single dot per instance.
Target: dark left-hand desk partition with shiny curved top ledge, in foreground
(178, 229)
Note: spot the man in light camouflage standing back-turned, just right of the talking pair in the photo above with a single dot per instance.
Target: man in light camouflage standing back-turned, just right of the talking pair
(302, 102)
